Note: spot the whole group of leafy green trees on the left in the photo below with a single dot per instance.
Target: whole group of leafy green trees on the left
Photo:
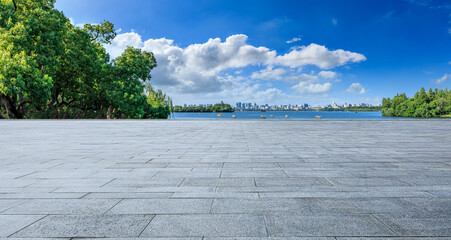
(50, 68)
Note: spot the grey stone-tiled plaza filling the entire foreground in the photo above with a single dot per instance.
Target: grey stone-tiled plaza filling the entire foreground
(260, 179)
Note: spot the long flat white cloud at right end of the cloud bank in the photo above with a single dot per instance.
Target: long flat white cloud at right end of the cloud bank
(319, 56)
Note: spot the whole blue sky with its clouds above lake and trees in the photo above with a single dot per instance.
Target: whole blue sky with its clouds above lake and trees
(281, 52)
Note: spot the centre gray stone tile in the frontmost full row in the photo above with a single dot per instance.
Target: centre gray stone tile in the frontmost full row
(212, 225)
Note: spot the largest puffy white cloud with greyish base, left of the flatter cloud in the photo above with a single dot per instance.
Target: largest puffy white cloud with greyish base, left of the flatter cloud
(197, 68)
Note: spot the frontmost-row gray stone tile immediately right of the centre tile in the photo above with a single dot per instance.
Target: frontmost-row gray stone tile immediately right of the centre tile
(300, 225)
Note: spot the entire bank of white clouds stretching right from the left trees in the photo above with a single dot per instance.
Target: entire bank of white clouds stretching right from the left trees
(203, 67)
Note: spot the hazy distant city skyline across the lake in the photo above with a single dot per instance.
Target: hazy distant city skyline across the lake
(305, 106)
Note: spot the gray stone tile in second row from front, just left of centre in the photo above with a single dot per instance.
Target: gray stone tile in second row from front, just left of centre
(161, 206)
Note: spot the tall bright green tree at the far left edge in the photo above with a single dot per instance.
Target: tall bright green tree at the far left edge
(31, 33)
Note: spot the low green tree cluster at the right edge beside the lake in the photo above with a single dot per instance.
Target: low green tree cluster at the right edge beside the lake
(435, 103)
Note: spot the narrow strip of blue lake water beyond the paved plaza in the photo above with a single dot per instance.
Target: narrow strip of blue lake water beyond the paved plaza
(282, 114)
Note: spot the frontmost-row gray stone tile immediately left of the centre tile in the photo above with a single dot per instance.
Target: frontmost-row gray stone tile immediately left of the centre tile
(119, 226)
